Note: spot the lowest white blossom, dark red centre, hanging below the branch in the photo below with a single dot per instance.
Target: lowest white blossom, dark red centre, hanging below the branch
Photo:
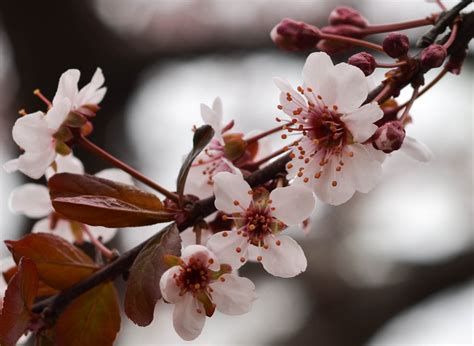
(199, 283)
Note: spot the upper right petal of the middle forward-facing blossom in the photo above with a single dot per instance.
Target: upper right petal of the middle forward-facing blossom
(292, 204)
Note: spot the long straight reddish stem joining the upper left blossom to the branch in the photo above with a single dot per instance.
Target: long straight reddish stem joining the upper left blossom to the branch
(91, 147)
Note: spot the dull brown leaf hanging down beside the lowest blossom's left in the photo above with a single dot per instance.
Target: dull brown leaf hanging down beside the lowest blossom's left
(143, 288)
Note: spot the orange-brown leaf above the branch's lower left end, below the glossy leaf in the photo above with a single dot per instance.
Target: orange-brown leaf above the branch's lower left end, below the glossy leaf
(60, 264)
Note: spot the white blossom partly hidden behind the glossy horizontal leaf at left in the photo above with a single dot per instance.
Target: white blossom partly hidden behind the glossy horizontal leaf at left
(32, 200)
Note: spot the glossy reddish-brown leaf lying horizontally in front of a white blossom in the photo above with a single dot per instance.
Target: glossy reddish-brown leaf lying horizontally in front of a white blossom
(101, 202)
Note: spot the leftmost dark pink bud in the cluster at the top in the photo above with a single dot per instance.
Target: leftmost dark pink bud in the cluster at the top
(293, 35)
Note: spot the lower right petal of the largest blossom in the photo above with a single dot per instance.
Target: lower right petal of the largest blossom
(361, 169)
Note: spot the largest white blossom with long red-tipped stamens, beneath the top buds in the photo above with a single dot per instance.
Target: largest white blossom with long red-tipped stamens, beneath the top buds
(331, 156)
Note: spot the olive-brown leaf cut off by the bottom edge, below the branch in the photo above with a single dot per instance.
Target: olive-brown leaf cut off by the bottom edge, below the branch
(91, 319)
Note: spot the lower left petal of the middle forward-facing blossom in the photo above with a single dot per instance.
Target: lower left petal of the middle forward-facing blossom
(230, 247)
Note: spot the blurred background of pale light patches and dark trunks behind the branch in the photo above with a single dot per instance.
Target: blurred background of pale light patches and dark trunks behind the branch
(392, 267)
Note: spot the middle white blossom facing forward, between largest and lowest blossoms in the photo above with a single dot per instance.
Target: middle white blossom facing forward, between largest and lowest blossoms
(260, 220)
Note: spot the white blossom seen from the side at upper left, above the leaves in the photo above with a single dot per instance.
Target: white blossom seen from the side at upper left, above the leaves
(39, 135)
